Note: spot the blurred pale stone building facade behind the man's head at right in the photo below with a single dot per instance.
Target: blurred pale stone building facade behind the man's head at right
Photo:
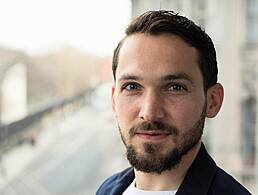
(233, 26)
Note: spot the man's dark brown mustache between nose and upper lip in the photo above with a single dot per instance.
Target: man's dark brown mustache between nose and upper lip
(153, 126)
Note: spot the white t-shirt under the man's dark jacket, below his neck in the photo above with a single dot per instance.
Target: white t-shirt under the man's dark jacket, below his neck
(132, 190)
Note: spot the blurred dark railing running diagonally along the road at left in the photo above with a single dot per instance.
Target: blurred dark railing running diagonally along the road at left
(28, 128)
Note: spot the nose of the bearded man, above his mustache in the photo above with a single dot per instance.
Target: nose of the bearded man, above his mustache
(152, 107)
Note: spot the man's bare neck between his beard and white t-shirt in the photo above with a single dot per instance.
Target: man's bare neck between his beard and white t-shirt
(167, 180)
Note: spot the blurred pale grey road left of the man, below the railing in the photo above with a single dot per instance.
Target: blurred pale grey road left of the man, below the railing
(71, 158)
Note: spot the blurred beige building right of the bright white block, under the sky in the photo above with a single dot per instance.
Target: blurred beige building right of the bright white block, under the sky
(60, 74)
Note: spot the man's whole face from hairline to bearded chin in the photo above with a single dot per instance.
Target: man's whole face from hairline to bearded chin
(158, 100)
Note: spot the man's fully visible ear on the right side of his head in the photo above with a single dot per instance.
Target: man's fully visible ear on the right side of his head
(215, 95)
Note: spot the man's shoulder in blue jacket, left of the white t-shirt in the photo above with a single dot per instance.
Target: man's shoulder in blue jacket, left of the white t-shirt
(117, 183)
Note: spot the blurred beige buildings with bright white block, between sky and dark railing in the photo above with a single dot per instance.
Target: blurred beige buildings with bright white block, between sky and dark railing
(28, 83)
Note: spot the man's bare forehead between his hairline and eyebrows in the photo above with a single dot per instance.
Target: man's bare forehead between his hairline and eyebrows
(155, 56)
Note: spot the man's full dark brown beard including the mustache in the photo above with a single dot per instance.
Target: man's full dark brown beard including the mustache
(152, 161)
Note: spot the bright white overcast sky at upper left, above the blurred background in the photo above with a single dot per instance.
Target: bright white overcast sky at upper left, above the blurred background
(40, 26)
